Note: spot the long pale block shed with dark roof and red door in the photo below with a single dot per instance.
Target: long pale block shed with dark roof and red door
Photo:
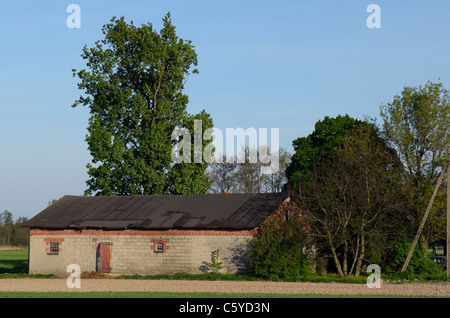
(160, 234)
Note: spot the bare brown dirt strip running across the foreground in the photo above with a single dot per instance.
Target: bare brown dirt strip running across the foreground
(89, 284)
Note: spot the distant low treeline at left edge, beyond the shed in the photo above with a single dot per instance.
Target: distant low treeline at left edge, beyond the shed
(11, 232)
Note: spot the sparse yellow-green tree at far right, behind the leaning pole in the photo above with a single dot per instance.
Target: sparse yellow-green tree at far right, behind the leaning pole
(417, 125)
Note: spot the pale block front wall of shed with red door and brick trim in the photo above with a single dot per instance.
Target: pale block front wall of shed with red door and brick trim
(137, 251)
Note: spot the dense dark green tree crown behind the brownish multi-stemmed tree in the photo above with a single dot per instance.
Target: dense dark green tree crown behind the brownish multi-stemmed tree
(317, 147)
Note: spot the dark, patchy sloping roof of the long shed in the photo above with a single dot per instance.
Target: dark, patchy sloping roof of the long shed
(231, 211)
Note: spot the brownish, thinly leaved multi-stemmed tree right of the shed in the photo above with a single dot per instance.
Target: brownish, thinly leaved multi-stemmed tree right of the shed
(353, 199)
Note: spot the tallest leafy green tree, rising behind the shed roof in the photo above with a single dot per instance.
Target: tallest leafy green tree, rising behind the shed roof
(133, 86)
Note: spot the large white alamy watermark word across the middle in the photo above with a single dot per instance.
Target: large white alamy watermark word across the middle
(256, 147)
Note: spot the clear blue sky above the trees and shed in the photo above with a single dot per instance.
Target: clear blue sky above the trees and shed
(263, 64)
